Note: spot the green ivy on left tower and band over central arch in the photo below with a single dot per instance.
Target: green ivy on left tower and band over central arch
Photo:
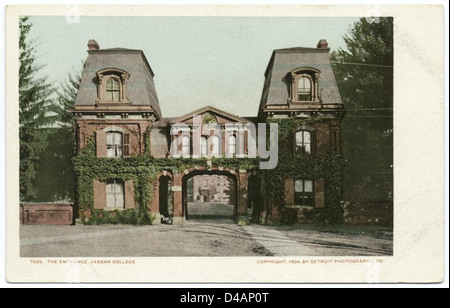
(142, 170)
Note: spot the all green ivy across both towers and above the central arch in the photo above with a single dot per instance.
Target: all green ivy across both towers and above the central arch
(144, 170)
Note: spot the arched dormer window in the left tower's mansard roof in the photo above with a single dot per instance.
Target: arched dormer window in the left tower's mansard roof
(112, 86)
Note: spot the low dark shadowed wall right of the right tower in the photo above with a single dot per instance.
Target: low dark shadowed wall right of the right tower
(377, 213)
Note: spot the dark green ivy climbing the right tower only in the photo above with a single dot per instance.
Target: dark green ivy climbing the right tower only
(325, 165)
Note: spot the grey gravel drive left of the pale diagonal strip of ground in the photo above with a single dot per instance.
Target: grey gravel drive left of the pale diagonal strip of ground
(219, 238)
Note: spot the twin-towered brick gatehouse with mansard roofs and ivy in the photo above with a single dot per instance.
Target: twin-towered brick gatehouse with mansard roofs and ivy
(128, 158)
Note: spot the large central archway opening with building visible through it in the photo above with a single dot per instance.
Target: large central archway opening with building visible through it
(209, 194)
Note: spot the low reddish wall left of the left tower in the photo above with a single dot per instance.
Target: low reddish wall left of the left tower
(46, 213)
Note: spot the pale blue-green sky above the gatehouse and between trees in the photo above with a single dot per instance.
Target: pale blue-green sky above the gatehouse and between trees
(197, 61)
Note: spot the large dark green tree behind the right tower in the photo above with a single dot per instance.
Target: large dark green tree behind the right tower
(364, 73)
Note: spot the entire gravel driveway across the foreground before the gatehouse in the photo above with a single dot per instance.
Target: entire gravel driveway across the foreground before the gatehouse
(218, 237)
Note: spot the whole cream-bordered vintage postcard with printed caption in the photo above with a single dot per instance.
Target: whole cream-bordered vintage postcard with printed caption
(230, 144)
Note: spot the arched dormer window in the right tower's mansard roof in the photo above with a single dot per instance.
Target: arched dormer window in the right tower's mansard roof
(305, 85)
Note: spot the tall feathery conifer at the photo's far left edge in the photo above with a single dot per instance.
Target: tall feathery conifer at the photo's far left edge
(35, 112)
